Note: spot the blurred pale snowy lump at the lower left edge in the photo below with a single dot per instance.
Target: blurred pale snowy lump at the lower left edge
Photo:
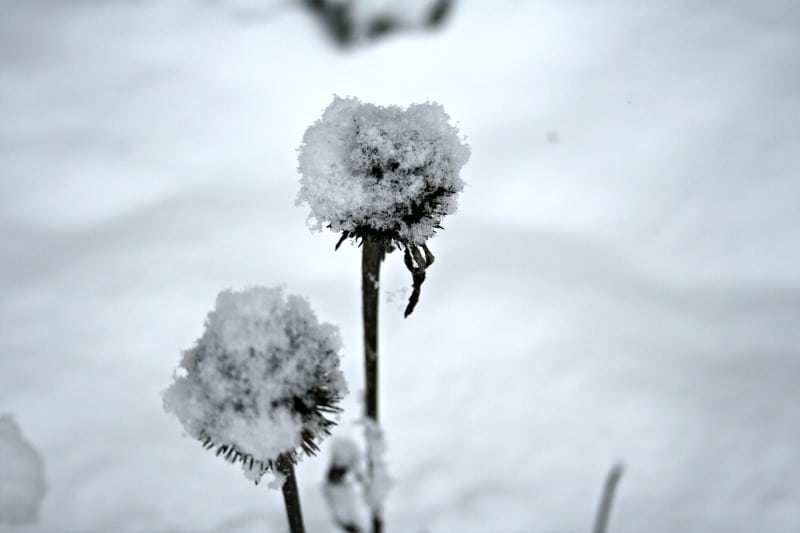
(22, 483)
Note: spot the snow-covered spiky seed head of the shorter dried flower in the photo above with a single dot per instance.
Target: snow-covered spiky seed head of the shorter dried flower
(261, 381)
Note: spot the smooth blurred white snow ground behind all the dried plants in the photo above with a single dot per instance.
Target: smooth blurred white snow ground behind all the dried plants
(621, 282)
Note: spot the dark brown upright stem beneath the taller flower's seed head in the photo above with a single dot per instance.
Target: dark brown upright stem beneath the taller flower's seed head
(373, 252)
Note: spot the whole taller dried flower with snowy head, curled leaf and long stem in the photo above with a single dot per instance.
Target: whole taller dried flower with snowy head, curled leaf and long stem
(385, 177)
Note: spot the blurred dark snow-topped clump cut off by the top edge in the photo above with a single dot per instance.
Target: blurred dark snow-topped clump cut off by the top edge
(347, 21)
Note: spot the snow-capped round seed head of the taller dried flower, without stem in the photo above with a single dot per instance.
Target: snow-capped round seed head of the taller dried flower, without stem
(389, 171)
